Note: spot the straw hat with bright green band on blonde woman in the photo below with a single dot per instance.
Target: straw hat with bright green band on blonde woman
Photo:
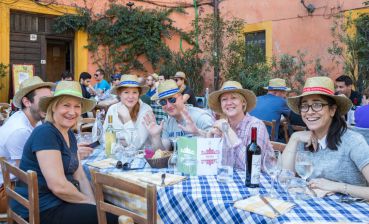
(67, 88)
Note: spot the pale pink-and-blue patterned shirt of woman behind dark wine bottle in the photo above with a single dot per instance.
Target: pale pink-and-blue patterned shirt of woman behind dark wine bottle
(236, 156)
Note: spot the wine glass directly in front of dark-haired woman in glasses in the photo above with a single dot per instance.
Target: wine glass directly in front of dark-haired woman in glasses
(303, 166)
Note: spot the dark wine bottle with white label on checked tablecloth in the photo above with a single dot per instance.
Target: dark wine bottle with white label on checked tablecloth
(253, 161)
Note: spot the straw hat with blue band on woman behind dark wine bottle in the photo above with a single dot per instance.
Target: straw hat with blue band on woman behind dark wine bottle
(231, 87)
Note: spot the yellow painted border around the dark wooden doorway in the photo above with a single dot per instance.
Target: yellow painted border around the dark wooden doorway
(80, 40)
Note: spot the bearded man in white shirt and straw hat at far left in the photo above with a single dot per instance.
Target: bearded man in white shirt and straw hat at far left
(15, 132)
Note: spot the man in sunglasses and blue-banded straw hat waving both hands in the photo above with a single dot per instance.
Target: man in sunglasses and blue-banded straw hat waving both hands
(181, 121)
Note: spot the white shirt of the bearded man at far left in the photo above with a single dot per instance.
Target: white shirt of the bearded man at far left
(14, 134)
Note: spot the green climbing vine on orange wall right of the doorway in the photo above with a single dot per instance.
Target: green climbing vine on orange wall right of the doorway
(121, 37)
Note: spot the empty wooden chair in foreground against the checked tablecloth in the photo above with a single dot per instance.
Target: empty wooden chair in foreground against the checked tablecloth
(148, 192)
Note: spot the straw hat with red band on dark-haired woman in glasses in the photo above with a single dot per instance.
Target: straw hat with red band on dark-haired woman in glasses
(322, 86)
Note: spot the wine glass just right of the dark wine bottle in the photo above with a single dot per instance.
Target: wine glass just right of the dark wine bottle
(272, 168)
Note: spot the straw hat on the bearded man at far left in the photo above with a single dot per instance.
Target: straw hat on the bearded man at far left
(27, 86)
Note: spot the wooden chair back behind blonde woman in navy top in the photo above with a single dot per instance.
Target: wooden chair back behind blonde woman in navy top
(30, 179)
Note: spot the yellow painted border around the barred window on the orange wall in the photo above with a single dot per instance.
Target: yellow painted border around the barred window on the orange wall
(267, 26)
